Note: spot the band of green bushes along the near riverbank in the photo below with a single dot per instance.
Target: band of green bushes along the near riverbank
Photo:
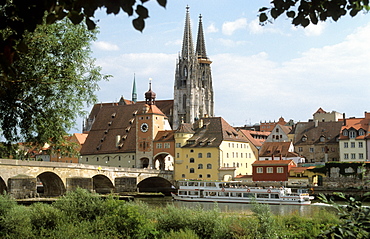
(81, 214)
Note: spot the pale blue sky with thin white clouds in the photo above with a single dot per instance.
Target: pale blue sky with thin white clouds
(260, 73)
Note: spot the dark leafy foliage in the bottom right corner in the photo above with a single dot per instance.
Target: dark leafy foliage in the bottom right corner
(354, 219)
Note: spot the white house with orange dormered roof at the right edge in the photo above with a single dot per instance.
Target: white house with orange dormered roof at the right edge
(354, 139)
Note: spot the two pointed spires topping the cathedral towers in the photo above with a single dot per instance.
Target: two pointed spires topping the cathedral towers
(187, 43)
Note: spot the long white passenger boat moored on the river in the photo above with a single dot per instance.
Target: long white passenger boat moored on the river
(237, 192)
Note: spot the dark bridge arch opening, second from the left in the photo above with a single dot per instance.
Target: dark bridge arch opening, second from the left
(52, 184)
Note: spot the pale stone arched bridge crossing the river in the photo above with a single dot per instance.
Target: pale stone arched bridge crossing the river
(24, 179)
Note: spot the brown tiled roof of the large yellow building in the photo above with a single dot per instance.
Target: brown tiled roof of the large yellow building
(210, 132)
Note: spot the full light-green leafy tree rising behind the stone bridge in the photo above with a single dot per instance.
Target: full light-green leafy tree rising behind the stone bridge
(52, 80)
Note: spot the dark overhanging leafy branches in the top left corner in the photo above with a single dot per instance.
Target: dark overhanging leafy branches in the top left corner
(20, 16)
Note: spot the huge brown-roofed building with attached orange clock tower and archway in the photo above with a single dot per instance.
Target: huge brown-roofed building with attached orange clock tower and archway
(124, 135)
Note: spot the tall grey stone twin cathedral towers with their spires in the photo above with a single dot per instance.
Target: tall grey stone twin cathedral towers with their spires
(193, 91)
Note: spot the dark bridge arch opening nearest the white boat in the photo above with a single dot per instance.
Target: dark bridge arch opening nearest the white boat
(155, 184)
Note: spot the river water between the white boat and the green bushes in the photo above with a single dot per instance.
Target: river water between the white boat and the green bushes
(307, 210)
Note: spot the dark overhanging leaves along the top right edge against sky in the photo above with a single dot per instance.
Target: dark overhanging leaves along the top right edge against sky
(304, 12)
